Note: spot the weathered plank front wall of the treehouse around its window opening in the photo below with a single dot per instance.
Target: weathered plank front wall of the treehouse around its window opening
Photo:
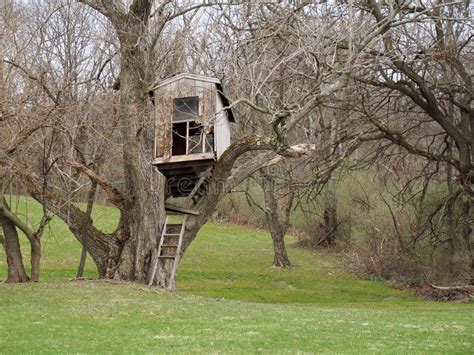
(180, 88)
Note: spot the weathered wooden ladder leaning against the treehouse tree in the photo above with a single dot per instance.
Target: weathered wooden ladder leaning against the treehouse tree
(169, 247)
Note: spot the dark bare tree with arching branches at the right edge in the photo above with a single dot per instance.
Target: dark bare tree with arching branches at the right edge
(423, 73)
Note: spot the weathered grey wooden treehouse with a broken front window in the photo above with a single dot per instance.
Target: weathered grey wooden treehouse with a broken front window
(192, 130)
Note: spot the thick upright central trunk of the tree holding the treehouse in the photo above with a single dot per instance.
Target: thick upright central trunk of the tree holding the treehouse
(143, 215)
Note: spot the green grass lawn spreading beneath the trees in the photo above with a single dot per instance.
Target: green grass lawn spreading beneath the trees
(229, 300)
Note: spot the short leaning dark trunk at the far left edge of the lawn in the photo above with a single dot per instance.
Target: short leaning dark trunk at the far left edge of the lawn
(16, 269)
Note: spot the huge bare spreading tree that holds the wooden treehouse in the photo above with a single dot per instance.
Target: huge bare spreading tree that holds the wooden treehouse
(129, 252)
